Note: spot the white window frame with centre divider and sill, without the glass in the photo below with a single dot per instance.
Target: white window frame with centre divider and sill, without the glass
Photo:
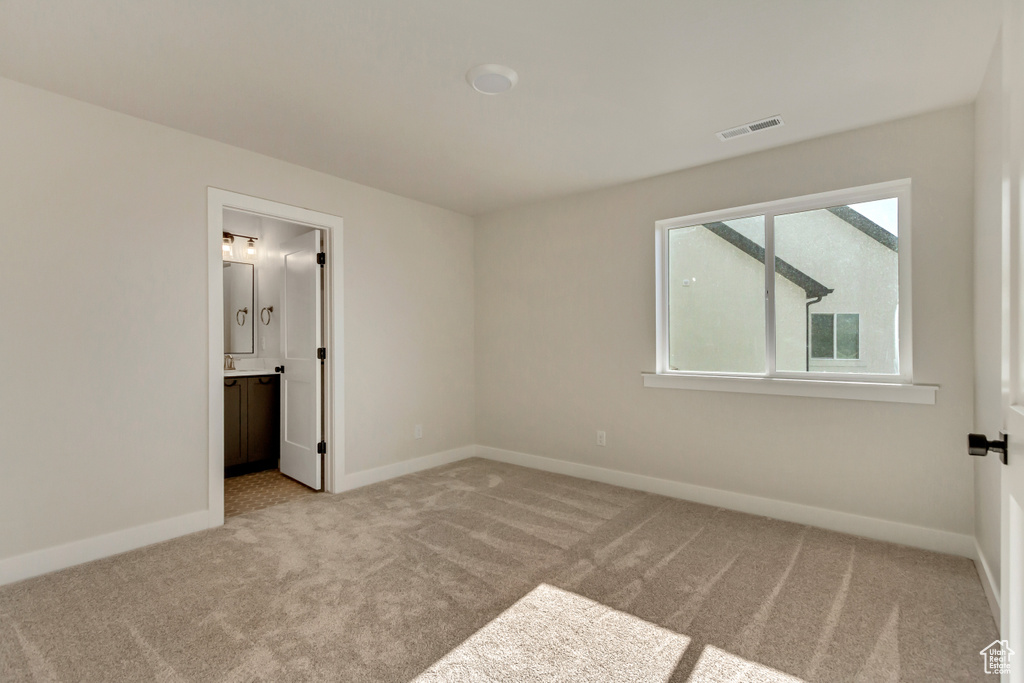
(899, 388)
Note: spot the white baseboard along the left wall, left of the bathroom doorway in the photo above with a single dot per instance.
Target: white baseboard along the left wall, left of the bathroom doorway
(59, 558)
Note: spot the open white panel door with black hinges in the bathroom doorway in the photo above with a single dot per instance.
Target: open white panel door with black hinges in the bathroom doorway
(301, 383)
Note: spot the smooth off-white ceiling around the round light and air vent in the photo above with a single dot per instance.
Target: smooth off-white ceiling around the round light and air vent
(610, 92)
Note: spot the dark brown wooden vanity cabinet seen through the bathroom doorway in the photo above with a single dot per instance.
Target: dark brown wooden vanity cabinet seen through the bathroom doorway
(252, 423)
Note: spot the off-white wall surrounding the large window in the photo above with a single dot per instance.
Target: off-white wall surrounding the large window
(566, 326)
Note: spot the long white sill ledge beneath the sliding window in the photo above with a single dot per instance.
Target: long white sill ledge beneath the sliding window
(880, 392)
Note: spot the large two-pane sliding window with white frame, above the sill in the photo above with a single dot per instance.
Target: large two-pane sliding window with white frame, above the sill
(814, 288)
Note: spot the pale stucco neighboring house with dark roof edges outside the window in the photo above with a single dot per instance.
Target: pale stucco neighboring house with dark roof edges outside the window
(836, 295)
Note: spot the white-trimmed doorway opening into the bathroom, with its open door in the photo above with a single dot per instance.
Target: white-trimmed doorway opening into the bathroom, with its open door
(287, 338)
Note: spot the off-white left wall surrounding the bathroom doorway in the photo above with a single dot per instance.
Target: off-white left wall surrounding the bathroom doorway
(104, 317)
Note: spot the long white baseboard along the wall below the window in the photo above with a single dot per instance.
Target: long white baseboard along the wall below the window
(881, 530)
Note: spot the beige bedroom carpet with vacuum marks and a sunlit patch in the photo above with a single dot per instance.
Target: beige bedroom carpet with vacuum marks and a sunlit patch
(485, 572)
